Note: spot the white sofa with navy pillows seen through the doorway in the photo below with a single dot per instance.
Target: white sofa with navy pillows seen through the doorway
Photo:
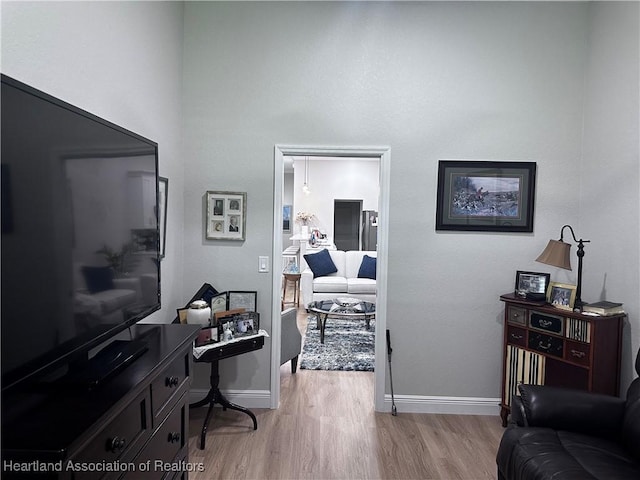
(343, 283)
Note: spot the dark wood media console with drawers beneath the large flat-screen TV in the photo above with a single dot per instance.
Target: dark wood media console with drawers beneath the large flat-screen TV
(133, 425)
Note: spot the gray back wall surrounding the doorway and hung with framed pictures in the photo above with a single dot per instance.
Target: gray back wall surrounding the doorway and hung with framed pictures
(501, 81)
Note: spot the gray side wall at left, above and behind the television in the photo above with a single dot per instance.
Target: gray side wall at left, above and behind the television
(118, 60)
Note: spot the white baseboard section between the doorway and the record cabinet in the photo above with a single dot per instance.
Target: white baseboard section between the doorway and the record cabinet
(444, 405)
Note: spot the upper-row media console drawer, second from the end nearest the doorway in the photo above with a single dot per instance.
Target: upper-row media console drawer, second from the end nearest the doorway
(119, 441)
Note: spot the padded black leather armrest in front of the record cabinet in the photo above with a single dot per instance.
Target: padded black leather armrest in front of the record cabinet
(568, 409)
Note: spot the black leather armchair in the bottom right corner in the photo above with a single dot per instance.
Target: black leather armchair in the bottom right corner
(568, 434)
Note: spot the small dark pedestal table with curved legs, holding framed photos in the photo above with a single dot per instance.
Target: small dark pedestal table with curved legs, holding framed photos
(213, 354)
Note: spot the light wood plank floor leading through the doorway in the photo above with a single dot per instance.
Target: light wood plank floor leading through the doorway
(326, 428)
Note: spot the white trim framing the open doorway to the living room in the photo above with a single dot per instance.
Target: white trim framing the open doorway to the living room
(383, 153)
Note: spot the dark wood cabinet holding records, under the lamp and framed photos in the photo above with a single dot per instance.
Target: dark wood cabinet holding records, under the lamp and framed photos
(545, 345)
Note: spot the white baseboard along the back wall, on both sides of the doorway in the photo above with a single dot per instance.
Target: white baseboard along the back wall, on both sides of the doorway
(404, 403)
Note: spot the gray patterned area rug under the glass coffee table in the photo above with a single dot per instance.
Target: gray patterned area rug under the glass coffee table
(348, 345)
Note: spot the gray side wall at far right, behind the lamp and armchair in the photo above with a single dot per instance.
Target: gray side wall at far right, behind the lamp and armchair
(609, 196)
